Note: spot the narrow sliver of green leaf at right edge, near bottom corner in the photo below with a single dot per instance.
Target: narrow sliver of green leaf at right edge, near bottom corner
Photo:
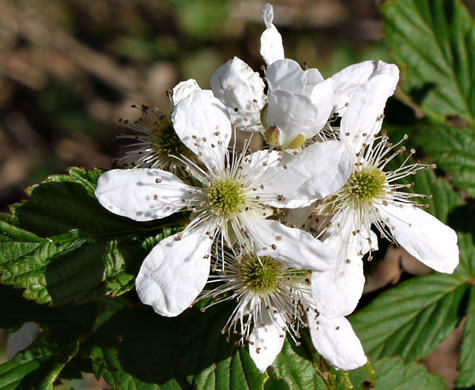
(466, 377)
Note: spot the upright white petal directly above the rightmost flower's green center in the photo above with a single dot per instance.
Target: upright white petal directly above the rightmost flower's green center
(362, 120)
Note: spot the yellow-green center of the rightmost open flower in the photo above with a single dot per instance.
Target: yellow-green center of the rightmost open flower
(367, 184)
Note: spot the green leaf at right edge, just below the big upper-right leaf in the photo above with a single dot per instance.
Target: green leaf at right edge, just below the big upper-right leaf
(452, 149)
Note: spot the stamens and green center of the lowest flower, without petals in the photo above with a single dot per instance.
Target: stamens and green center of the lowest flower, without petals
(259, 285)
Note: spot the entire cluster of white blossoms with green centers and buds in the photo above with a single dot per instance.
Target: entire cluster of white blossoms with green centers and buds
(253, 235)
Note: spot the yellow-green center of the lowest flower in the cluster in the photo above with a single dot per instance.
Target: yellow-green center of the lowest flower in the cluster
(262, 276)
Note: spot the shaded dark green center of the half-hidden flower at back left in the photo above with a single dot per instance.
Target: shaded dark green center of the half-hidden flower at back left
(165, 139)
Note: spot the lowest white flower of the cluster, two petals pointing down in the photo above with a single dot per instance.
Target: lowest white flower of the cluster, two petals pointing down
(273, 299)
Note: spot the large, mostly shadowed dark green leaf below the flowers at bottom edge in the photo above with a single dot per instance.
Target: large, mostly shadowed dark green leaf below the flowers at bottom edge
(138, 349)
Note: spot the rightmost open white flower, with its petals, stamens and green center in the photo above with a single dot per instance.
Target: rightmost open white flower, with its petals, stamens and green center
(373, 197)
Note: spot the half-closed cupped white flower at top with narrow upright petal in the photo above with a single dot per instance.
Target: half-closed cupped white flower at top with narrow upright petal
(300, 101)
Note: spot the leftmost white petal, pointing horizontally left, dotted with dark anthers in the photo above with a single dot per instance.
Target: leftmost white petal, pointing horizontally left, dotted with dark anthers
(142, 194)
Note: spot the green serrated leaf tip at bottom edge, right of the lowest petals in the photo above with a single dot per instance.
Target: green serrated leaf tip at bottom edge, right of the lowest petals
(393, 374)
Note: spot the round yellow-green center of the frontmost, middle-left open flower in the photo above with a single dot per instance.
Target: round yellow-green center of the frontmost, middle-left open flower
(226, 196)
